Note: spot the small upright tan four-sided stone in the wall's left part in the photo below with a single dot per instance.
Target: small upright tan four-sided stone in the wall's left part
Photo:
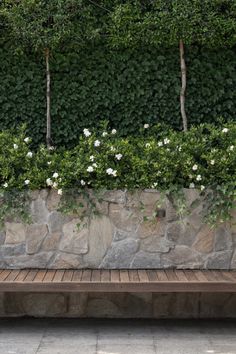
(35, 235)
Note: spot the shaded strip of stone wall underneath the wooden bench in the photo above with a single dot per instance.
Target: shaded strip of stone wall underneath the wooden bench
(121, 305)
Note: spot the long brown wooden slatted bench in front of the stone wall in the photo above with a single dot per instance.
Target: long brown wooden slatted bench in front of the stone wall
(33, 280)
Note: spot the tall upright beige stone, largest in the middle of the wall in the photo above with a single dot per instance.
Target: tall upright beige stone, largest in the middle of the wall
(100, 239)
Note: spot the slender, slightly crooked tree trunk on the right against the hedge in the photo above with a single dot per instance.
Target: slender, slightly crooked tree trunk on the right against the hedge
(183, 87)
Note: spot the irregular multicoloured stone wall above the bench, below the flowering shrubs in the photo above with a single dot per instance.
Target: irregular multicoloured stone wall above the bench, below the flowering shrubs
(119, 237)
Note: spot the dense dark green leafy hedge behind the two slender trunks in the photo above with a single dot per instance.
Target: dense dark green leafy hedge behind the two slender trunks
(128, 88)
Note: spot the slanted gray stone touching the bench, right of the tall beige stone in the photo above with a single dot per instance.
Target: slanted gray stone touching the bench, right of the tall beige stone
(120, 254)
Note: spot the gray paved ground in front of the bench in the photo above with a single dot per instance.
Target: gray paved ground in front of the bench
(72, 336)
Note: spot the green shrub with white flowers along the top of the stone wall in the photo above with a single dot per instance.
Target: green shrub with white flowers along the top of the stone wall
(203, 158)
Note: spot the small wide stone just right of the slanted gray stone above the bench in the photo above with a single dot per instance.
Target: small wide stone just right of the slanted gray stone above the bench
(155, 244)
